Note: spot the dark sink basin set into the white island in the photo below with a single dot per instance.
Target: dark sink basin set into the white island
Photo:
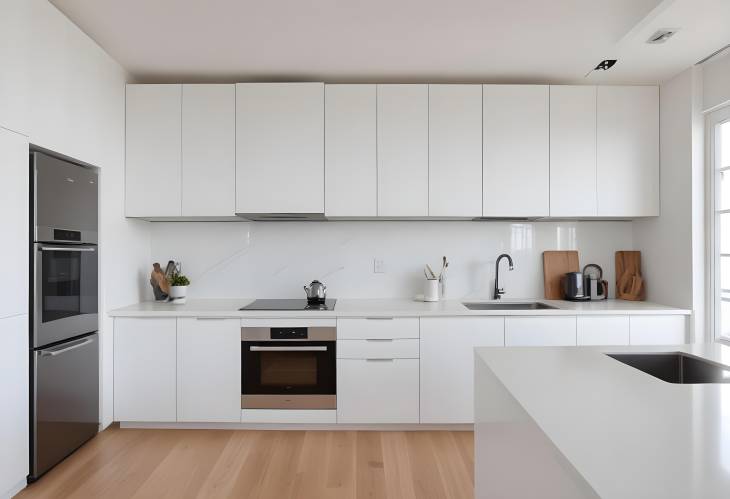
(675, 367)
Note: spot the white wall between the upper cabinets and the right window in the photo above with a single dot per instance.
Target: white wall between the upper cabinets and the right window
(672, 244)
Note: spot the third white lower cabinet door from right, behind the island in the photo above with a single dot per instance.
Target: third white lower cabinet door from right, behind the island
(539, 331)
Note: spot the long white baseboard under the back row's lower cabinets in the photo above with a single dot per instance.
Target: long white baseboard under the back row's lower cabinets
(297, 426)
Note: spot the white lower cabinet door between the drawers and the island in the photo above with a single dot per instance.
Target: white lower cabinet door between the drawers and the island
(447, 365)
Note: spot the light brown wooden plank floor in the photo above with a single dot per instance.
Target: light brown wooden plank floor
(123, 463)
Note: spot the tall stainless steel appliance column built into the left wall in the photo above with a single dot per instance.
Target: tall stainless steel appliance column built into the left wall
(64, 343)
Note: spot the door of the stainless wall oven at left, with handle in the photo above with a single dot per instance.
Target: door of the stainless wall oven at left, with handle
(65, 292)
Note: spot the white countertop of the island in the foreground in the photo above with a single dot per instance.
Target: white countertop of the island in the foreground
(628, 434)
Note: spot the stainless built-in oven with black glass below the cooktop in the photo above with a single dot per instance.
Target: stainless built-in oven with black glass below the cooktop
(288, 368)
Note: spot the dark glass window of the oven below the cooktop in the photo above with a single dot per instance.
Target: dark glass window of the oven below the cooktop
(288, 369)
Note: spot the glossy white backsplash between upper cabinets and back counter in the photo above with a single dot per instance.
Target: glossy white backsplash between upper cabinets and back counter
(274, 260)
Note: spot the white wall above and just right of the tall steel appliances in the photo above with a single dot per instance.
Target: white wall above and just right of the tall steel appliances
(63, 91)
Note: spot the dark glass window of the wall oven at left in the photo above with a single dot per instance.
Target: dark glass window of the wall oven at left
(68, 284)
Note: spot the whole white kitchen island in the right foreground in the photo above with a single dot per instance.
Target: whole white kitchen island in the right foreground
(574, 423)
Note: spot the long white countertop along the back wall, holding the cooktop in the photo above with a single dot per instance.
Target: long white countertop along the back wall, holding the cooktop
(397, 307)
